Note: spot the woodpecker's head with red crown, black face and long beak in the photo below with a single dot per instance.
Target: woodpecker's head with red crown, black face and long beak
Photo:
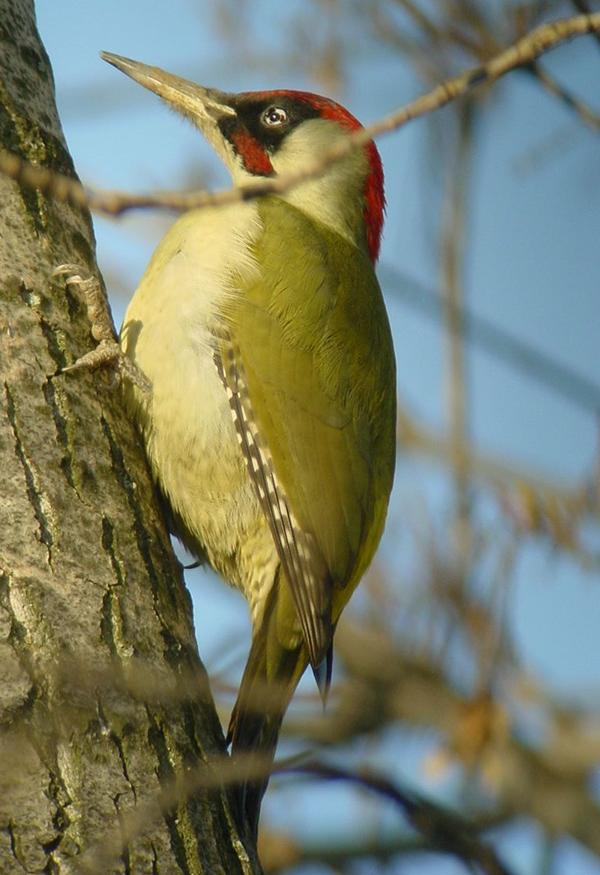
(269, 133)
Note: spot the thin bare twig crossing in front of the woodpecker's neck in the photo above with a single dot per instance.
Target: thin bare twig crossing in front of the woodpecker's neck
(523, 52)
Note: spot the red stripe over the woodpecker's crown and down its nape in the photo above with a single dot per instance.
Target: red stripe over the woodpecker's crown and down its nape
(374, 194)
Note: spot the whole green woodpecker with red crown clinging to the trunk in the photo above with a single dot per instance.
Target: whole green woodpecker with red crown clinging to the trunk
(271, 420)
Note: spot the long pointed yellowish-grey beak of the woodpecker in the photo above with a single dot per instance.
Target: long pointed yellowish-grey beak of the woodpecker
(205, 107)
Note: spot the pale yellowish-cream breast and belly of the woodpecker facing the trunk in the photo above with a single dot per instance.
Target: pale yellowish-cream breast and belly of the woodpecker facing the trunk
(169, 332)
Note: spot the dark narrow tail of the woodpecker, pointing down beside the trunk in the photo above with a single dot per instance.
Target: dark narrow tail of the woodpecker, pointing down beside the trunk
(271, 675)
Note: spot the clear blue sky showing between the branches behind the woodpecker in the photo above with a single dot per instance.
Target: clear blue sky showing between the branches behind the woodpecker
(531, 268)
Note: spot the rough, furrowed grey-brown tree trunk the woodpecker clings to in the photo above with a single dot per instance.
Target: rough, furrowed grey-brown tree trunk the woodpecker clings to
(89, 588)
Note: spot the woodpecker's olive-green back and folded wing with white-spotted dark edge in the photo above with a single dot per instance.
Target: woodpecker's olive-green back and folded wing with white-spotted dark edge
(309, 363)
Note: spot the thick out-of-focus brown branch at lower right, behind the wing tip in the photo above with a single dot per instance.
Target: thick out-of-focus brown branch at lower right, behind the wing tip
(387, 684)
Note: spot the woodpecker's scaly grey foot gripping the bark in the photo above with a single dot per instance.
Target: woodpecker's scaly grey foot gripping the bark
(107, 353)
